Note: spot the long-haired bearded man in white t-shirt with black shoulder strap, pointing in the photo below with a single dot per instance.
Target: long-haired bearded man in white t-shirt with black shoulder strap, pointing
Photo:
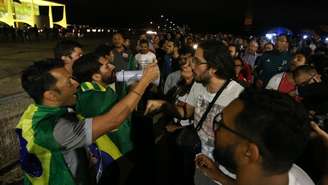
(213, 67)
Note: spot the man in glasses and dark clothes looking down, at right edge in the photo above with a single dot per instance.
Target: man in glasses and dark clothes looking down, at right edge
(312, 87)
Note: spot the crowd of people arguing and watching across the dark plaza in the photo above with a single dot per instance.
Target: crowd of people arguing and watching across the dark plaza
(259, 108)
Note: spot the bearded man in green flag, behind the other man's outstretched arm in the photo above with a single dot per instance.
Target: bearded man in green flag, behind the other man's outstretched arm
(95, 73)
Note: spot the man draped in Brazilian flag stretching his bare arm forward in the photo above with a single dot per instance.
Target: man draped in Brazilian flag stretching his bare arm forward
(54, 143)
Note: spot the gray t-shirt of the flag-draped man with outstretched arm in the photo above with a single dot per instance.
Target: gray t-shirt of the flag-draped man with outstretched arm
(74, 138)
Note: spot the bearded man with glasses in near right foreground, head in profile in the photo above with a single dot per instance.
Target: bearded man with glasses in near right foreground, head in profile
(259, 136)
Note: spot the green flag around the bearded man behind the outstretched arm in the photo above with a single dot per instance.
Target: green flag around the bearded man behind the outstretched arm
(94, 100)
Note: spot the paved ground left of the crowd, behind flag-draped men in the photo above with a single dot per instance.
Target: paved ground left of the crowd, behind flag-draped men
(14, 57)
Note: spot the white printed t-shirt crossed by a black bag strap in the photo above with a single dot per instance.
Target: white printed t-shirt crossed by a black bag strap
(200, 98)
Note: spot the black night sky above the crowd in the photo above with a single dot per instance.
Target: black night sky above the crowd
(203, 15)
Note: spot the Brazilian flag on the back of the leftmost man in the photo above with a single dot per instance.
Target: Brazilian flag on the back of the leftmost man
(40, 155)
